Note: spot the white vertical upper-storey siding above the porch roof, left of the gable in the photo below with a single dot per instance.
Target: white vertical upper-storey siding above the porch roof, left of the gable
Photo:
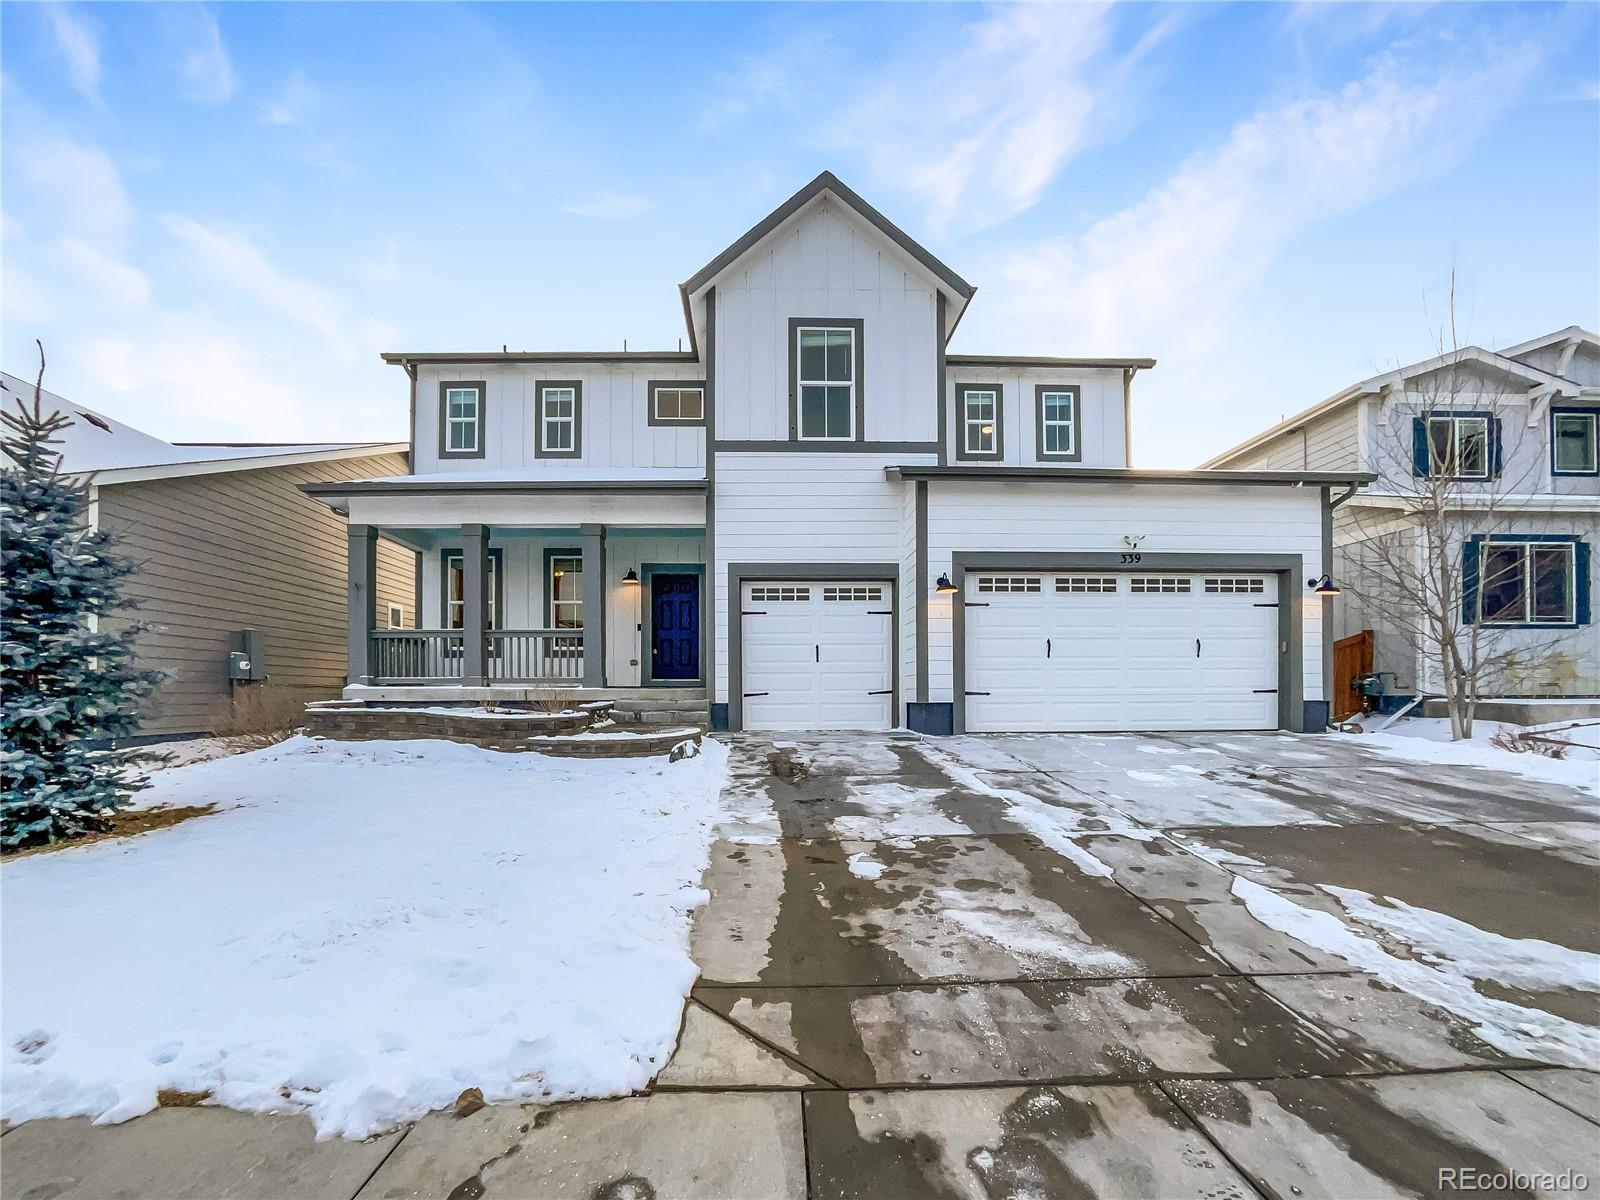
(617, 431)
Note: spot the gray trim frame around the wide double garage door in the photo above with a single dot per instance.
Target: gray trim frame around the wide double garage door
(1287, 567)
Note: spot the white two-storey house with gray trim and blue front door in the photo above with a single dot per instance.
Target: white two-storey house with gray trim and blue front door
(818, 519)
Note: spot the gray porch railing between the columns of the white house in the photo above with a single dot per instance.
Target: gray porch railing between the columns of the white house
(434, 657)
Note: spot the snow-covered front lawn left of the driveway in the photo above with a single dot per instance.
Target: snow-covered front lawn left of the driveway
(362, 932)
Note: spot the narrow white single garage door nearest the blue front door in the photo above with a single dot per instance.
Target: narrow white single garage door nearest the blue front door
(817, 657)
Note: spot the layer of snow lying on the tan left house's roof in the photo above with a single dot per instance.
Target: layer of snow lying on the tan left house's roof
(98, 444)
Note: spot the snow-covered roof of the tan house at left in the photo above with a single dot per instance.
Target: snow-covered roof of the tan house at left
(118, 454)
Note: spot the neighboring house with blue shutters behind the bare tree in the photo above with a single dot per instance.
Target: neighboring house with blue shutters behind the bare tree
(1514, 431)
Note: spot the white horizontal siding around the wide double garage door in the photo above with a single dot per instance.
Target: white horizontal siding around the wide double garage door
(1167, 519)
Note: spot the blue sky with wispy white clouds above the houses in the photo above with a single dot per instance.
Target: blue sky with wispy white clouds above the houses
(217, 218)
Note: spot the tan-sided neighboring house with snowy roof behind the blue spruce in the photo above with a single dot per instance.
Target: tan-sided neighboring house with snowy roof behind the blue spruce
(226, 542)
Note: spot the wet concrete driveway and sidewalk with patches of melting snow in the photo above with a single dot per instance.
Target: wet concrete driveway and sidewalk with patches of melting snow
(914, 985)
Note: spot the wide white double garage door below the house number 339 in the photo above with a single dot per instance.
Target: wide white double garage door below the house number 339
(1122, 652)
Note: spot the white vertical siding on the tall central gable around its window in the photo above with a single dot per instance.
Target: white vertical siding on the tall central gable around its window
(826, 263)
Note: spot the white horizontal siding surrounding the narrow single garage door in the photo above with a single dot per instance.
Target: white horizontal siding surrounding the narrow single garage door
(812, 508)
